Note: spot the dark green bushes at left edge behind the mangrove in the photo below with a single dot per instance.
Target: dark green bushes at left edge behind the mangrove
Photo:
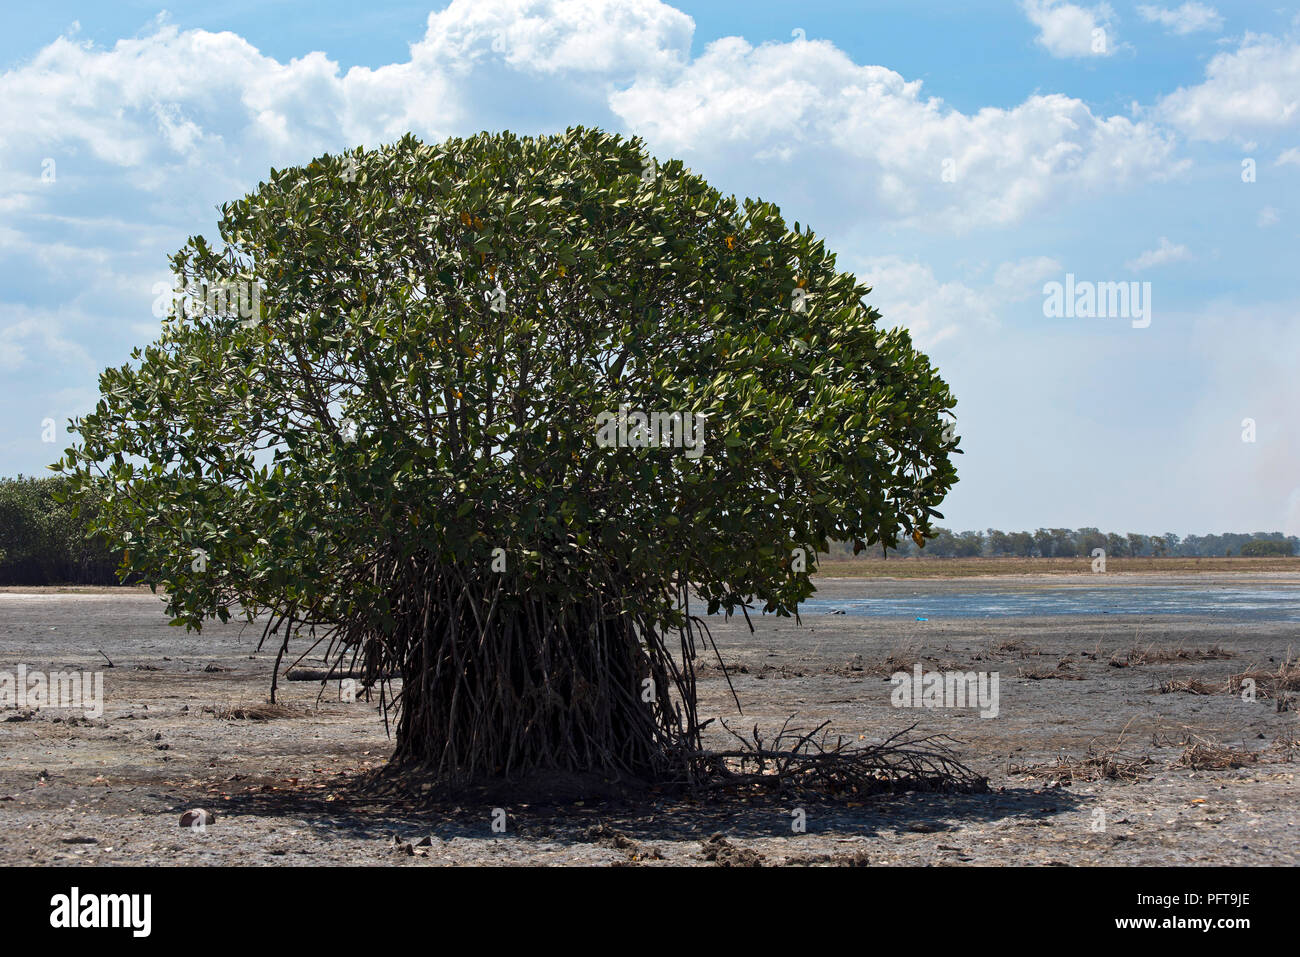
(42, 544)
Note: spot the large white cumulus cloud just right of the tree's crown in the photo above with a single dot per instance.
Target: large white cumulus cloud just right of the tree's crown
(801, 116)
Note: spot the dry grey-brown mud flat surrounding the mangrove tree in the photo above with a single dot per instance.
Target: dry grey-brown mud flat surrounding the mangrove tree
(111, 790)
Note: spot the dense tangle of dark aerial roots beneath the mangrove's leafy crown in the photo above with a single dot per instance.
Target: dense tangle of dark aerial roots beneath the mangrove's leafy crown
(493, 678)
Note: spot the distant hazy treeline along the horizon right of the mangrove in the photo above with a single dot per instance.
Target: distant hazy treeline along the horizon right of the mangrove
(1074, 543)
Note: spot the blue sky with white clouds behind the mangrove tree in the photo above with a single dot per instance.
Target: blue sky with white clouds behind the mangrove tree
(957, 157)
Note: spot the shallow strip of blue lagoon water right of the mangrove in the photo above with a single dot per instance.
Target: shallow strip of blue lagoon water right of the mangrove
(1229, 603)
